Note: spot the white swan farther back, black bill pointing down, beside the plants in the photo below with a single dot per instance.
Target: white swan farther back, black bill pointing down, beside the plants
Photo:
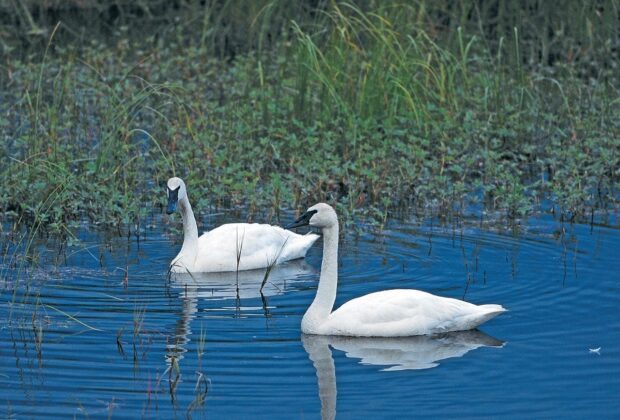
(230, 247)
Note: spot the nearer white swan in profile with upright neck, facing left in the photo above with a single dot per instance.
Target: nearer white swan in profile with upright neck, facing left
(389, 313)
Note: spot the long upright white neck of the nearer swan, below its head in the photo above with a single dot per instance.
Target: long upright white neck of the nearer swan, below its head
(323, 303)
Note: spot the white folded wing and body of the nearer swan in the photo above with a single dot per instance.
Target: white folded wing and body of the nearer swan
(403, 313)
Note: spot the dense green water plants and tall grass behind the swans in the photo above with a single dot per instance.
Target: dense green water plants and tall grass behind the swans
(372, 106)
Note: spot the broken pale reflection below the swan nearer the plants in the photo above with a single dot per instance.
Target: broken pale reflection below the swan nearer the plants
(230, 289)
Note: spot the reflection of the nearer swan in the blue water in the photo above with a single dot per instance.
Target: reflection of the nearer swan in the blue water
(399, 353)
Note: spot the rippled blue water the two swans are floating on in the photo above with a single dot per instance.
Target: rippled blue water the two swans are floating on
(202, 350)
